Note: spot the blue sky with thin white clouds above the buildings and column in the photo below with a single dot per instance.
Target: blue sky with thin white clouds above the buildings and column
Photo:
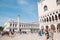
(10, 9)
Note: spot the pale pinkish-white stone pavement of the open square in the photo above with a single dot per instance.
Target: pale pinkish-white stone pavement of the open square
(29, 36)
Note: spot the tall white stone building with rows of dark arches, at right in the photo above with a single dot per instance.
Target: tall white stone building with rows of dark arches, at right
(49, 14)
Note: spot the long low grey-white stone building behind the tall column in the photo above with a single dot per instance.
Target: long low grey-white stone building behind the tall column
(27, 27)
